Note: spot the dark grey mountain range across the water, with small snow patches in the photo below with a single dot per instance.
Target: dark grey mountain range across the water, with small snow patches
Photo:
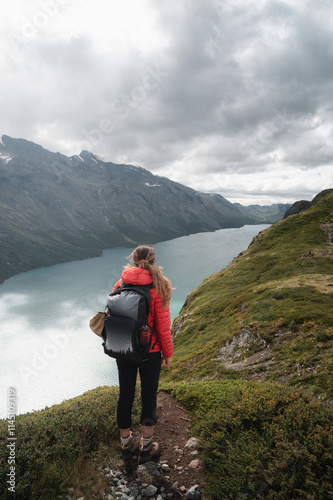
(56, 208)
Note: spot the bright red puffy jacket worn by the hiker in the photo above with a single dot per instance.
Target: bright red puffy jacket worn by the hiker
(159, 316)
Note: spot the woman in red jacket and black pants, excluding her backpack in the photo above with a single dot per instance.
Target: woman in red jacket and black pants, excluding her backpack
(145, 272)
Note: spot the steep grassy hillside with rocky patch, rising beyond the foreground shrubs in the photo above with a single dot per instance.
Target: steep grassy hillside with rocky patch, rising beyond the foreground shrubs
(269, 314)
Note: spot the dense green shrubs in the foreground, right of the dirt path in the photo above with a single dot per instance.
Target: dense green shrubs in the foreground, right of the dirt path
(261, 440)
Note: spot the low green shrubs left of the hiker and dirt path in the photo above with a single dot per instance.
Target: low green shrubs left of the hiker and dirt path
(51, 442)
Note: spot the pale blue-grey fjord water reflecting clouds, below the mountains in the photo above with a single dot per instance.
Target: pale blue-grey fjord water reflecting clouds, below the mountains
(48, 352)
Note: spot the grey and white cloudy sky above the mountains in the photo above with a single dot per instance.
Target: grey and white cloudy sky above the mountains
(227, 96)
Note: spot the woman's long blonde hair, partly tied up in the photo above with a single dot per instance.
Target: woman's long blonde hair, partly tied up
(144, 256)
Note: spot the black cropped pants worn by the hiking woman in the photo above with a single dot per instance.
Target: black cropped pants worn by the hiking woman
(149, 374)
